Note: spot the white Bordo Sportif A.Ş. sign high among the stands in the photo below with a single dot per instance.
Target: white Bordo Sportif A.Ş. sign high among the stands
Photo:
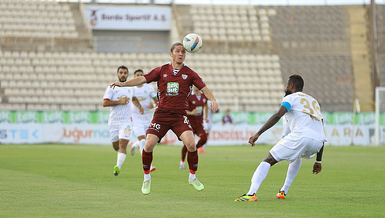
(129, 18)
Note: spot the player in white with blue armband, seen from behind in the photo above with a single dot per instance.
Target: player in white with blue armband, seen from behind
(306, 137)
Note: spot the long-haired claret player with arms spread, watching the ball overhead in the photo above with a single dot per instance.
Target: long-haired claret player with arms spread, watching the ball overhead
(174, 80)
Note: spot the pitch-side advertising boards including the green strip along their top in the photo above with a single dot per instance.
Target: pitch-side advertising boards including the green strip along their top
(82, 127)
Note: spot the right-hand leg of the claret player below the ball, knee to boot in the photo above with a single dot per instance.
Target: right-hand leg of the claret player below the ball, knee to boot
(192, 157)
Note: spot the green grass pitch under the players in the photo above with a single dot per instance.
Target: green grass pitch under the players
(78, 181)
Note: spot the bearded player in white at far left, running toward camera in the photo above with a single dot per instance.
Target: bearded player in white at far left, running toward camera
(120, 121)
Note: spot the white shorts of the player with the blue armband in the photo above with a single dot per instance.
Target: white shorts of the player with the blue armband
(291, 150)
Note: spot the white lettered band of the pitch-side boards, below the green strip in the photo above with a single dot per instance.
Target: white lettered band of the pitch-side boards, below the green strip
(239, 134)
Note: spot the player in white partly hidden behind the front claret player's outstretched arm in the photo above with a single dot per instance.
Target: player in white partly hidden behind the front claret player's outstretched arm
(144, 93)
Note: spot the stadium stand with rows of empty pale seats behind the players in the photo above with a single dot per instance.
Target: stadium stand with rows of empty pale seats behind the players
(260, 47)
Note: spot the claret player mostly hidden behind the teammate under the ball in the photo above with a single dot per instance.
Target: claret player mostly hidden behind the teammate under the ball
(197, 105)
